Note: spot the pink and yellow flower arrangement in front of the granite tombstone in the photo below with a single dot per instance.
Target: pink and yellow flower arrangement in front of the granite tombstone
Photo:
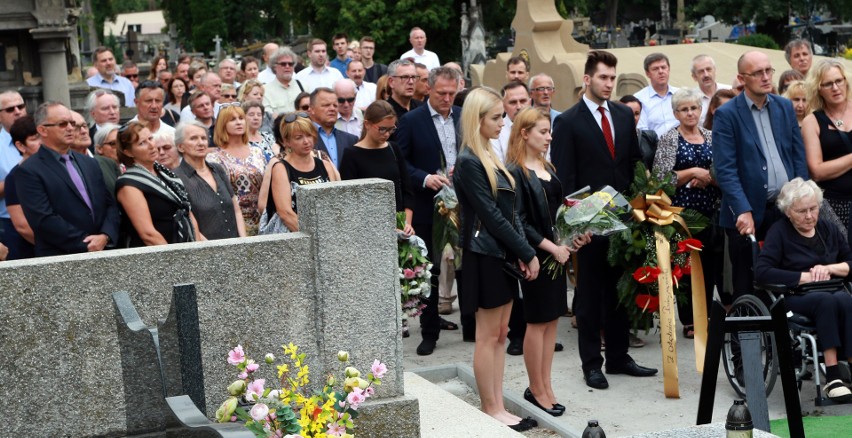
(291, 411)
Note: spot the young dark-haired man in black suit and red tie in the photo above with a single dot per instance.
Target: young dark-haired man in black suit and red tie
(595, 144)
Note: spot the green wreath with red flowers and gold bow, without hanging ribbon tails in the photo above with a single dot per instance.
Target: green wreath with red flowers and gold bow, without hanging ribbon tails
(634, 248)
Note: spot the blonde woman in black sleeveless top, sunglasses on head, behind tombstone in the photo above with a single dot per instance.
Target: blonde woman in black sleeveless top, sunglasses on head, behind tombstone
(298, 166)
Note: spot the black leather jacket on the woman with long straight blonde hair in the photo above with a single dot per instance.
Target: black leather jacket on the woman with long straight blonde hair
(489, 226)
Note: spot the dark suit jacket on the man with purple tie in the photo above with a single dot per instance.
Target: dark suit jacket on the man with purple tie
(55, 210)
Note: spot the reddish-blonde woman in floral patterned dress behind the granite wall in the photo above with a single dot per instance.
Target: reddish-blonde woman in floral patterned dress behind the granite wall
(244, 163)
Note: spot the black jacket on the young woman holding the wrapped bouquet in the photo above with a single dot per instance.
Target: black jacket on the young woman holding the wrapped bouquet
(535, 211)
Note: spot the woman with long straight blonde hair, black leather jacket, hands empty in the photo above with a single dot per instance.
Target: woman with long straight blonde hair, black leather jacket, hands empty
(493, 240)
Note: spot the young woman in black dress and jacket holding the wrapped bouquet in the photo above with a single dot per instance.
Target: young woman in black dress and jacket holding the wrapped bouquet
(545, 299)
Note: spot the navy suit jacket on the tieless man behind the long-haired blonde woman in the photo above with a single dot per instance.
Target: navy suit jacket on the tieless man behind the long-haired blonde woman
(420, 145)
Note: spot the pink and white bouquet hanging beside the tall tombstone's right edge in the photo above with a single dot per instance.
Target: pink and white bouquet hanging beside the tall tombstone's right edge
(414, 271)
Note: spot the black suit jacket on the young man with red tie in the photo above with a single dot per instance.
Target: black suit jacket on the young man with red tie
(580, 153)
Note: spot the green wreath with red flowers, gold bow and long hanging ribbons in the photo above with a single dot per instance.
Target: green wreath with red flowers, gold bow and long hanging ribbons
(653, 273)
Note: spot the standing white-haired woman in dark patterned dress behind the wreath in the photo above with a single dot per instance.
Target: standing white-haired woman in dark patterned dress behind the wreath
(686, 152)
